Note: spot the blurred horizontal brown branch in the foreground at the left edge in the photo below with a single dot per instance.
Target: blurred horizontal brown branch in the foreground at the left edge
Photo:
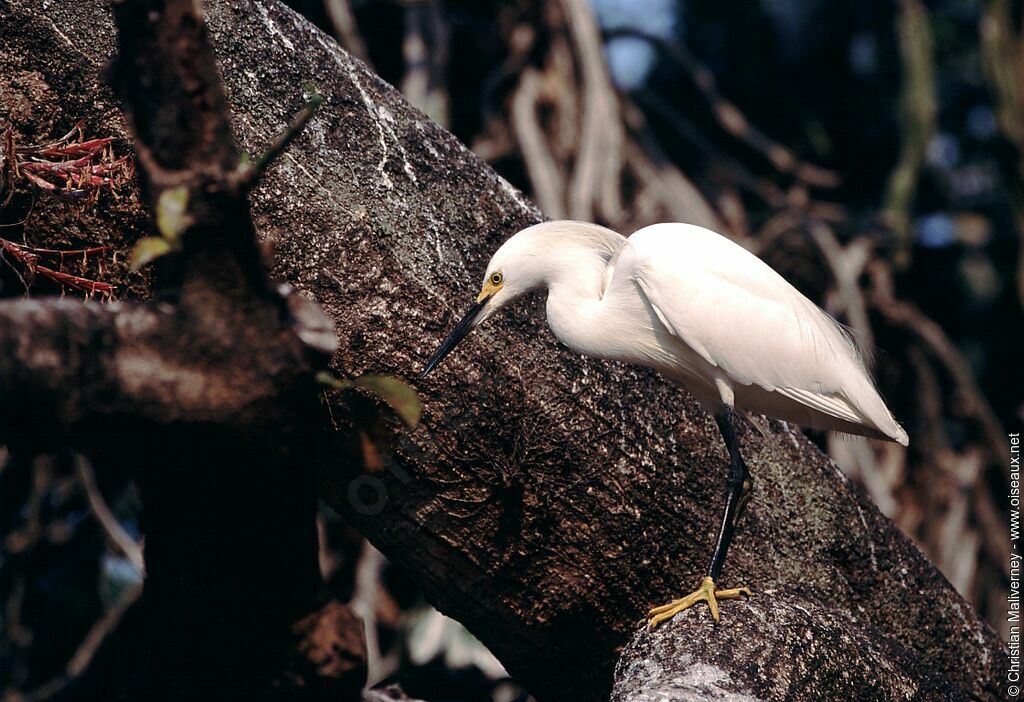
(68, 369)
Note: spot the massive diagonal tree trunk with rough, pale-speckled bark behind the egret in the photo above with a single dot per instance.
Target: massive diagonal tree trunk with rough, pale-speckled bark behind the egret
(547, 501)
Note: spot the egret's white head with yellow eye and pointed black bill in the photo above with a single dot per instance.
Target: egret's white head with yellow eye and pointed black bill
(513, 272)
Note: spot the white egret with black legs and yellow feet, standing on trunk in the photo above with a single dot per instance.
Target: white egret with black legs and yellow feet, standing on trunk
(708, 316)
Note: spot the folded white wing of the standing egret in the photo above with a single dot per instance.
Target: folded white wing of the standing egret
(743, 318)
